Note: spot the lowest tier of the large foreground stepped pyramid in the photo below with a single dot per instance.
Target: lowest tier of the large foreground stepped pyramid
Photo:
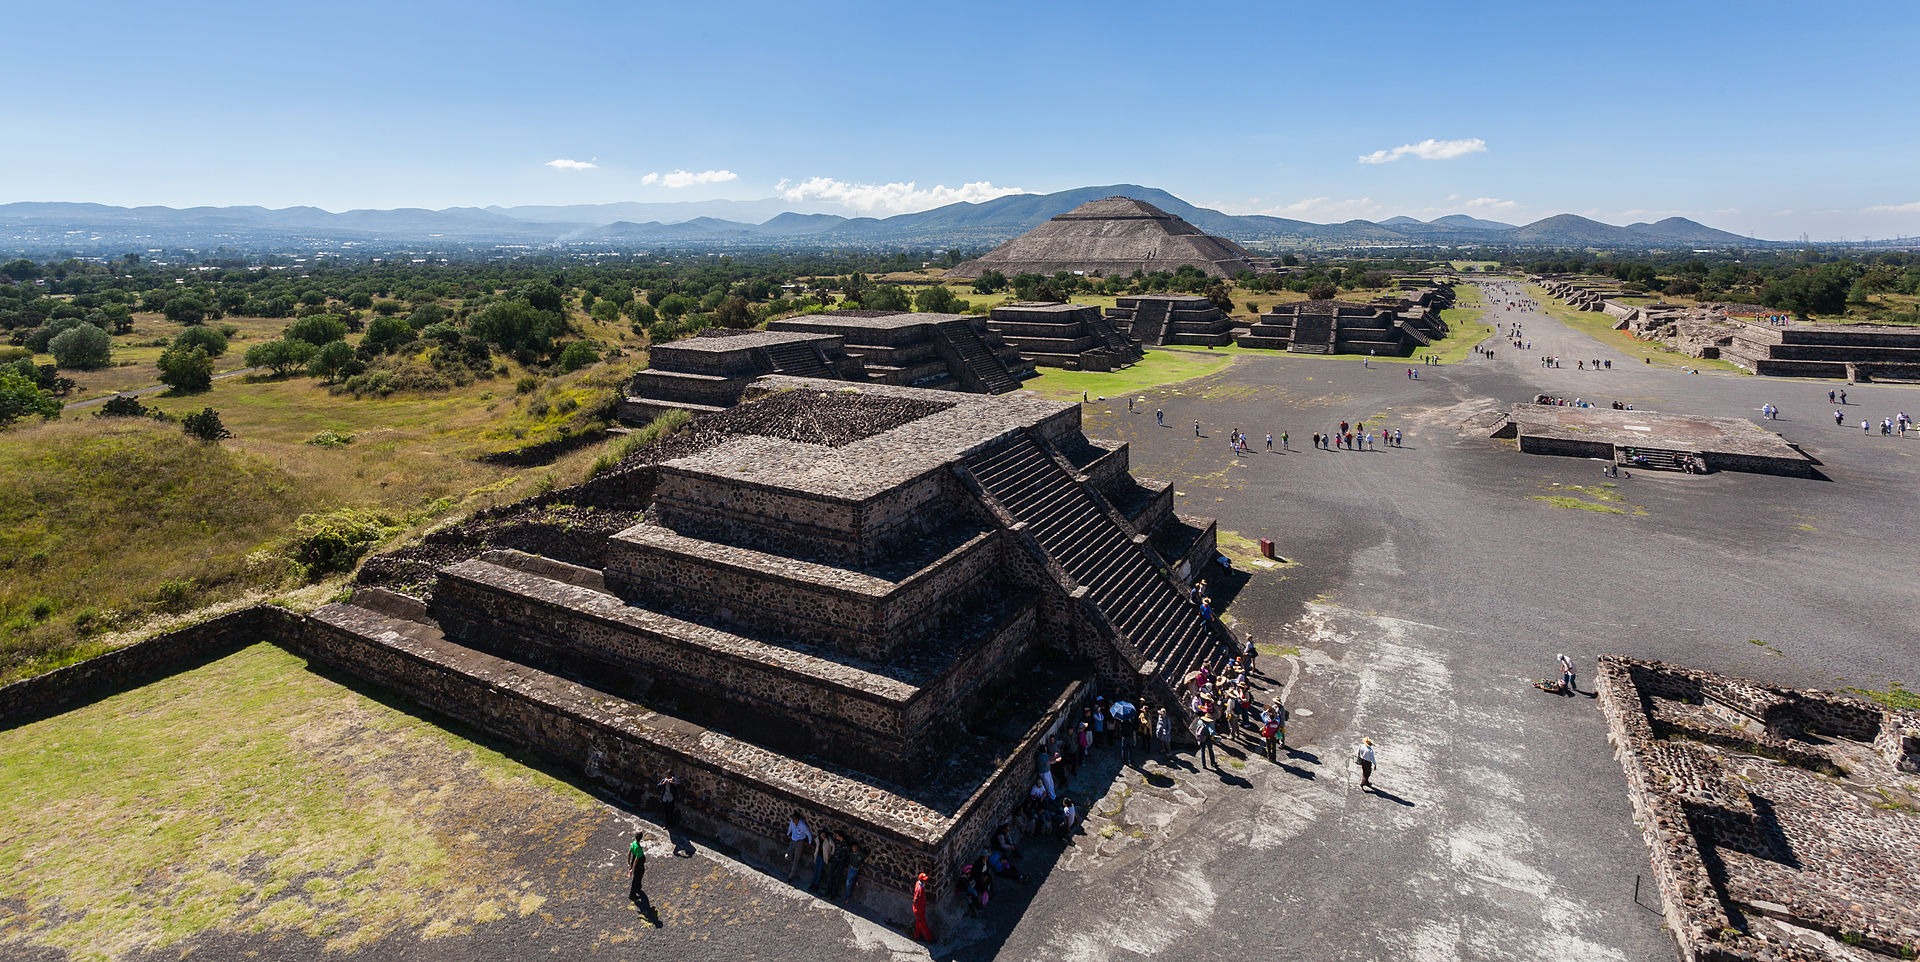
(727, 786)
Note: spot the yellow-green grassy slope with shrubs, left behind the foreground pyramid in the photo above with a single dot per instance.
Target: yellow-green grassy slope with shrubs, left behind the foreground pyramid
(108, 523)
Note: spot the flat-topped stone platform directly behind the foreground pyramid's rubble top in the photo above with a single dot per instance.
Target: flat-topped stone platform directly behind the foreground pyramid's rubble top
(709, 372)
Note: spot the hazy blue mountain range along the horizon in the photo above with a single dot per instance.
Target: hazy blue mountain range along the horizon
(101, 229)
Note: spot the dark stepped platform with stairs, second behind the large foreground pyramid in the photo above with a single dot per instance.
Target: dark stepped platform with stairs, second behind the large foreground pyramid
(951, 352)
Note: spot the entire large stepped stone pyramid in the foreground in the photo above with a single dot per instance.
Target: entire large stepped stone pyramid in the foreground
(867, 604)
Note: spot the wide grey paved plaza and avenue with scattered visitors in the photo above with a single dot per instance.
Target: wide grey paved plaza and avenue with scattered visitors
(1426, 589)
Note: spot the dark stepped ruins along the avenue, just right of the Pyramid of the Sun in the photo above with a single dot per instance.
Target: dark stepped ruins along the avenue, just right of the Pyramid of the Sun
(1391, 327)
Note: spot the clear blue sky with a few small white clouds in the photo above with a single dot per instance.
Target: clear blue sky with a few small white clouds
(1762, 118)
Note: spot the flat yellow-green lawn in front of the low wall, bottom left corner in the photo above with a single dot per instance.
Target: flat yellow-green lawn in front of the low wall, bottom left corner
(256, 798)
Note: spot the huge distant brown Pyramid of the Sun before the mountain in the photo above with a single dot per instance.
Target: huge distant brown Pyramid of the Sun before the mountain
(1113, 237)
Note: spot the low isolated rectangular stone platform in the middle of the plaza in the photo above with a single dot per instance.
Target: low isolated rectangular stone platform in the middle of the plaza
(1719, 443)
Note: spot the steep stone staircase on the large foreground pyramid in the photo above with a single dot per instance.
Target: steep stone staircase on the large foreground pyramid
(1086, 537)
